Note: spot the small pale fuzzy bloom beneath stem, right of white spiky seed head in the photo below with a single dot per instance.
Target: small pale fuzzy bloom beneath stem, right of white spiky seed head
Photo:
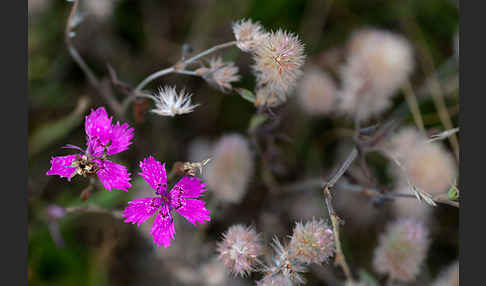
(221, 74)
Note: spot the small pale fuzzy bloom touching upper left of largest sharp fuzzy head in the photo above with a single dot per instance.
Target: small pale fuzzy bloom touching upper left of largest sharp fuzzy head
(248, 34)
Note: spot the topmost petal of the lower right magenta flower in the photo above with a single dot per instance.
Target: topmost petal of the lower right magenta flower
(154, 174)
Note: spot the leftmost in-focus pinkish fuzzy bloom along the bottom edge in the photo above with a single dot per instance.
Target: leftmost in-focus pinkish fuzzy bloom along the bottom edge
(240, 249)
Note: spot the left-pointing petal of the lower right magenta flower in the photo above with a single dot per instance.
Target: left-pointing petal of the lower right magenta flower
(139, 210)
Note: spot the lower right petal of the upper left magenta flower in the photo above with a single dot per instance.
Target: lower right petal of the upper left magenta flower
(113, 175)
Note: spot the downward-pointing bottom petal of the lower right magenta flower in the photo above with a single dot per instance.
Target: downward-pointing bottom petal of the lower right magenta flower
(163, 228)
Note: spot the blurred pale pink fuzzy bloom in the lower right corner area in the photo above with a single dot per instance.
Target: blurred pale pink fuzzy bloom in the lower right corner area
(402, 249)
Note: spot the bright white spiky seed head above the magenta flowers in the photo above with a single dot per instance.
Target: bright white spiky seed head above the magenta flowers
(169, 103)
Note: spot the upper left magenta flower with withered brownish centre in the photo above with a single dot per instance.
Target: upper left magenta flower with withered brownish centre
(103, 139)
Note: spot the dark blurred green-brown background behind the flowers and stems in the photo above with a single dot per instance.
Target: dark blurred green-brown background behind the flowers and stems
(137, 38)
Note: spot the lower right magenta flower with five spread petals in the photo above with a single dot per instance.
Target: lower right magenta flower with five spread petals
(180, 198)
